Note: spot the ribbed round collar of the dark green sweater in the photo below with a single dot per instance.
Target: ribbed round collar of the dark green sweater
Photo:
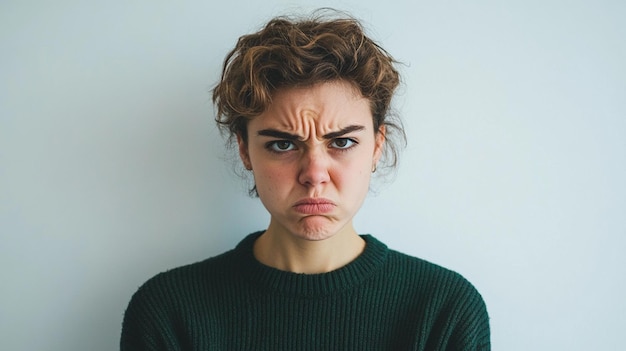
(311, 285)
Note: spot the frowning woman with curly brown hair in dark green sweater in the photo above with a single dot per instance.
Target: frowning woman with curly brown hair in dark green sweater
(307, 102)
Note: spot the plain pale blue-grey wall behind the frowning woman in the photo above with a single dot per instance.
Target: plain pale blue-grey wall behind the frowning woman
(514, 176)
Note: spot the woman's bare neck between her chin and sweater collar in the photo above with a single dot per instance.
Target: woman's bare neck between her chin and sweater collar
(288, 252)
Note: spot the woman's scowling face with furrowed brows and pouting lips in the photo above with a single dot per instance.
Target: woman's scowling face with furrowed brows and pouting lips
(312, 153)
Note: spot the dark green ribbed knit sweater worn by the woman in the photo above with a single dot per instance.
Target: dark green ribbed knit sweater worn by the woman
(383, 300)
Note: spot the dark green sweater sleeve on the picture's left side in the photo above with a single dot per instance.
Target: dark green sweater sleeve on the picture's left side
(147, 324)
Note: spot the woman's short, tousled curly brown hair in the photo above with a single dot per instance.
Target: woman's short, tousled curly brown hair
(302, 52)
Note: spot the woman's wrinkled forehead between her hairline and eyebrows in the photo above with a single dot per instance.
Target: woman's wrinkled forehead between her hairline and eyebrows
(323, 107)
